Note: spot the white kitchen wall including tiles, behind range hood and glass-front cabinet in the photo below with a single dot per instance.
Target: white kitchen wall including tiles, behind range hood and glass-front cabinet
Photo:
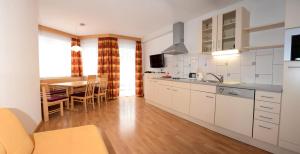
(261, 12)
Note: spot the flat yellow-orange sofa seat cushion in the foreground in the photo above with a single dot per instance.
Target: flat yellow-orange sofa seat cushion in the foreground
(77, 140)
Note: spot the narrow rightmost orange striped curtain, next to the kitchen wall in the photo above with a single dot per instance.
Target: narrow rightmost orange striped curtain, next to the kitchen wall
(138, 70)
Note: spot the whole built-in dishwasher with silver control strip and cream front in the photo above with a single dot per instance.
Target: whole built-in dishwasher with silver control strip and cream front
(234, 109)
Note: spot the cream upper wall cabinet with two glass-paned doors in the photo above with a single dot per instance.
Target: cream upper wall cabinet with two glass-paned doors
(225, 31)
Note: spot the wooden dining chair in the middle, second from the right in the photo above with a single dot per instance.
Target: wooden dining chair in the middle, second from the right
(85, 97)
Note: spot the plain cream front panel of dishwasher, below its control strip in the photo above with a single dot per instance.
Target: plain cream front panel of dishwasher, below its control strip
(235, 114)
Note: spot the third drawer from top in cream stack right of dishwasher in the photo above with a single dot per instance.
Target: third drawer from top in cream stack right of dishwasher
(267, 116)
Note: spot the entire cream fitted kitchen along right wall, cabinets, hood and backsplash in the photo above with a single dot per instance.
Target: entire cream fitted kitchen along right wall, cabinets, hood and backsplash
(256, 104)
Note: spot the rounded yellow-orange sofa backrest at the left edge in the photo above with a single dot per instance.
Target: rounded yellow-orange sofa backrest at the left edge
(13, 137)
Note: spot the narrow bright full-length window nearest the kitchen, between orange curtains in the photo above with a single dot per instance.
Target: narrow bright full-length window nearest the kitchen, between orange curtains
(127, 67)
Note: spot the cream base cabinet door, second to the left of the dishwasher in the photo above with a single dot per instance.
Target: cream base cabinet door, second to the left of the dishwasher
(181, 100)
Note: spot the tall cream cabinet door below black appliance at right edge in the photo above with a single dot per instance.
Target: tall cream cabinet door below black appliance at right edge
(290, 111)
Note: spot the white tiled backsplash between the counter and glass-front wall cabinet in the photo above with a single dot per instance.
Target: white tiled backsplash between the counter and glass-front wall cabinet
(260, 66)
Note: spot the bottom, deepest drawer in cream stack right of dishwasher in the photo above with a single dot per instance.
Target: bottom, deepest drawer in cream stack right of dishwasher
(265, 131)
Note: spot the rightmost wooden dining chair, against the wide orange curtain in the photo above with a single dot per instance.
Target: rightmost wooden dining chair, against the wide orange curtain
(101, 90)
